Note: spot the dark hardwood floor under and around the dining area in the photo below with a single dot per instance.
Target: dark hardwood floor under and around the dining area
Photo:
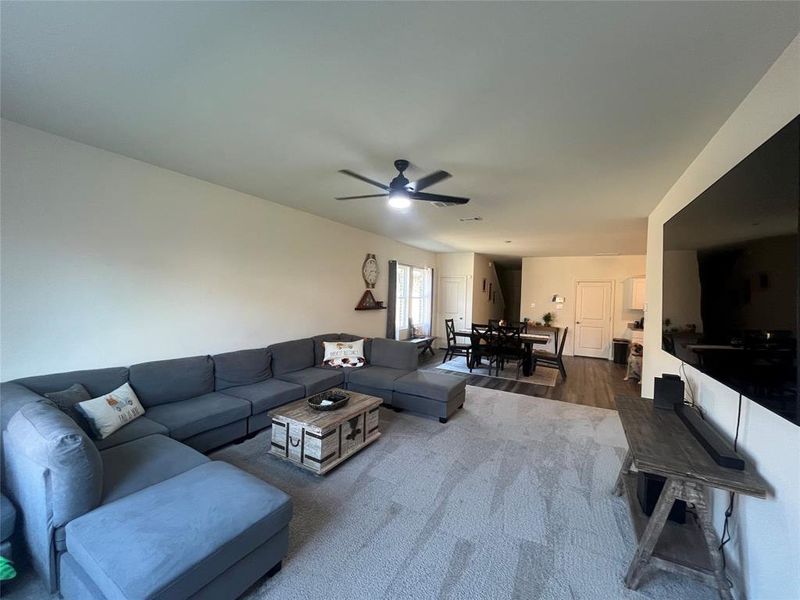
(590, 381)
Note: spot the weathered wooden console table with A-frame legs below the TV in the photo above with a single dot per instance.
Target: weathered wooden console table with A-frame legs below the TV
(659, 443)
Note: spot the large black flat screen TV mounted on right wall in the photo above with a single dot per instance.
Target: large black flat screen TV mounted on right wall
(730, 277)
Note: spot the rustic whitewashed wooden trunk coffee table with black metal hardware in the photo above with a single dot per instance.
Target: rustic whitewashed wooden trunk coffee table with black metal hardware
(319, 440)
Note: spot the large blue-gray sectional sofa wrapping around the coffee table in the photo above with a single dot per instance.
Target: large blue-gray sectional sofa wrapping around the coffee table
(143, 513)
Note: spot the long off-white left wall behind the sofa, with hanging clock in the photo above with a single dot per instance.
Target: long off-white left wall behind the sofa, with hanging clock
(109, 261)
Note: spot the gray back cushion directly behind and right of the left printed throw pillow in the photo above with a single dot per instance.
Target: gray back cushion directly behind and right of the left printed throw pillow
(164, 381)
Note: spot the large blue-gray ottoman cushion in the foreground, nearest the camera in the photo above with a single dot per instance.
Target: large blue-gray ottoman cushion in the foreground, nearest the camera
(173, 538)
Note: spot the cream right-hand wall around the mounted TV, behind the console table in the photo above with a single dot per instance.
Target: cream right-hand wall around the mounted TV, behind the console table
(764, 553)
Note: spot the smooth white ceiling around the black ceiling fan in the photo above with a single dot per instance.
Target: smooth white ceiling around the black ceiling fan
(564, 122)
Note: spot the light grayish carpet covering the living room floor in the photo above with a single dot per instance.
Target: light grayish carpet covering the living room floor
(510, 499)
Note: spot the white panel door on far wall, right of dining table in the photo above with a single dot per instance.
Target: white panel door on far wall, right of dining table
(593, 314)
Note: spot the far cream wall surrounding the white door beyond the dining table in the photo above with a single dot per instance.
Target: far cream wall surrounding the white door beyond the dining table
(542, 277)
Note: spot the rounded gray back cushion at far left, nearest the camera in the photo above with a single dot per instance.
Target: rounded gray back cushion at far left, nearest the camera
(45, 436)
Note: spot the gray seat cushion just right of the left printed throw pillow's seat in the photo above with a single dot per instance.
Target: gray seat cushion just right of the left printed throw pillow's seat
(196, 415)
